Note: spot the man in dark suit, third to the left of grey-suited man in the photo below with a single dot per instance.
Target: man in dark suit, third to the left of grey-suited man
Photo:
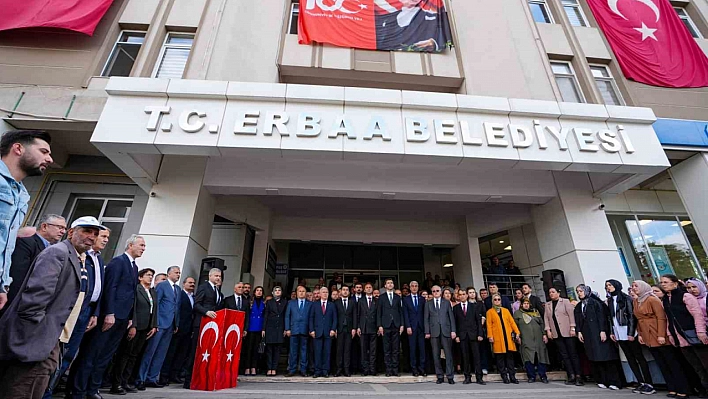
(366, 329)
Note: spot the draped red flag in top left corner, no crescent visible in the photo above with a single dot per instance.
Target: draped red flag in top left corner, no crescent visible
(77, 15)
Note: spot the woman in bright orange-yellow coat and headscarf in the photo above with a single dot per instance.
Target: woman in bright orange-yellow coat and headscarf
(501, 331)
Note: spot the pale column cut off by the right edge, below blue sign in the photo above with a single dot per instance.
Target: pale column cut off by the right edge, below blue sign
(691, 182)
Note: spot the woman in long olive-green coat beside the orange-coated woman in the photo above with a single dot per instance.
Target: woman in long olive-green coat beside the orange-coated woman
(533, 345)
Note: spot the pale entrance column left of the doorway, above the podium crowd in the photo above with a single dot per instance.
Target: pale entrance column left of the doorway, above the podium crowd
(179, 217)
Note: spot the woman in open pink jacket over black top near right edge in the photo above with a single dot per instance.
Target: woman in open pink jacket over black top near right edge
(686, 326)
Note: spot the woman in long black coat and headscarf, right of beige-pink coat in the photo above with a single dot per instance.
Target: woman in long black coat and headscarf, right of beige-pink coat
(591, 318)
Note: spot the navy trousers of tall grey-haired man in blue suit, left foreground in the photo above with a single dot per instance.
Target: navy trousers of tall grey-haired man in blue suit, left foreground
(95, 357)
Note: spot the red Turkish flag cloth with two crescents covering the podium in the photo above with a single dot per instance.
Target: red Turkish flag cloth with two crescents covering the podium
(218, 351)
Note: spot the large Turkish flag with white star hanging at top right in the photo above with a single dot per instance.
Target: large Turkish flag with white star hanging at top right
(651, 43)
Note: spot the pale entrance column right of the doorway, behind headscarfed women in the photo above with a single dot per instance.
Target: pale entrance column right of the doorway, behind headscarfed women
(574, 235)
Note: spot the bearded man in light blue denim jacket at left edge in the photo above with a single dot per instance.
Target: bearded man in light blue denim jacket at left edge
(23, 153)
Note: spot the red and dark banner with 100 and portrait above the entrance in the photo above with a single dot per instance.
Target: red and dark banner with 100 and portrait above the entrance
(407, 25)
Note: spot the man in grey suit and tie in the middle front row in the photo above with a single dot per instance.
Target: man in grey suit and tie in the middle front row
(440, 329)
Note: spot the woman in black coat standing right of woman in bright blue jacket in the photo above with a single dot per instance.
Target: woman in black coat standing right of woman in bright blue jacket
(274, 328)
